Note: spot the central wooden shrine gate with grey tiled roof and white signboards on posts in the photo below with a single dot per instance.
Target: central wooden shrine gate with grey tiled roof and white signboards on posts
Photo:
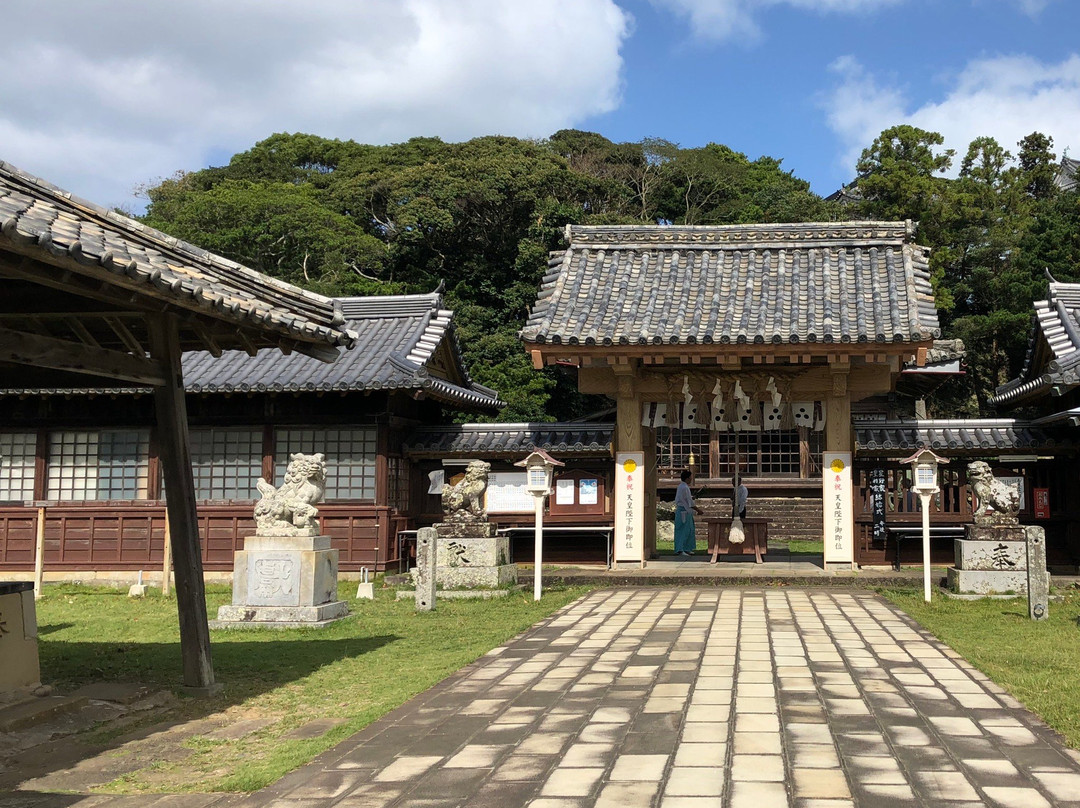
(737, 347)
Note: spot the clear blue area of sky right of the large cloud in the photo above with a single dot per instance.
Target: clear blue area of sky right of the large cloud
(773, 95)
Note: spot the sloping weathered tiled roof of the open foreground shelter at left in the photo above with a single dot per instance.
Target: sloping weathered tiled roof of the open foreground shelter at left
(43, 222)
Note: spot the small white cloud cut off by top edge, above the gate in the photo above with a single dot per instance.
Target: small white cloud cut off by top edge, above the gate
(736, 19)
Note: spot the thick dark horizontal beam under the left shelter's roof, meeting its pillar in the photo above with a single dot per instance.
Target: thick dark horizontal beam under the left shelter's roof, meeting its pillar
(61, 355)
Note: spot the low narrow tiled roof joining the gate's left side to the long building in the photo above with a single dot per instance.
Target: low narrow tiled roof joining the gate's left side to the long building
(517, 440)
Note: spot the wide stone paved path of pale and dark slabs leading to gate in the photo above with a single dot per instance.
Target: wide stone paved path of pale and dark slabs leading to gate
(695, 698)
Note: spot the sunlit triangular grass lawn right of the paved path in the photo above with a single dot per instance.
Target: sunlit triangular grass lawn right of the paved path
(1038, 663)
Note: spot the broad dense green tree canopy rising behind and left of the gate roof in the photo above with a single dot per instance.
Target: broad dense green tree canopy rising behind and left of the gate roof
(481, 217)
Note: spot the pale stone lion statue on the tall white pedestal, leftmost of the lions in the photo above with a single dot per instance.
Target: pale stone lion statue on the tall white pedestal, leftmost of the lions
(291, 510)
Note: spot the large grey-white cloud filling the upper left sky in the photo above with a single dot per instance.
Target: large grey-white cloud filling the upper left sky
(113, 93)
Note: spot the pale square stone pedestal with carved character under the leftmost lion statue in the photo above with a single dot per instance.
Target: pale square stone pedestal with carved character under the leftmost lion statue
(283, 582)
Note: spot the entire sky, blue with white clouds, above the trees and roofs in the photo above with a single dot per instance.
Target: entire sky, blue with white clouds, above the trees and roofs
(163, 88)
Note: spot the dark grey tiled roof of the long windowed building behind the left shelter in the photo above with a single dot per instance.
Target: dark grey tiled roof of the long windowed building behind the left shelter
(397, 336)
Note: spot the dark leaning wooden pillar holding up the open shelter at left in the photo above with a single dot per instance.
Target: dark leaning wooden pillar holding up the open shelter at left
(183, 518)
